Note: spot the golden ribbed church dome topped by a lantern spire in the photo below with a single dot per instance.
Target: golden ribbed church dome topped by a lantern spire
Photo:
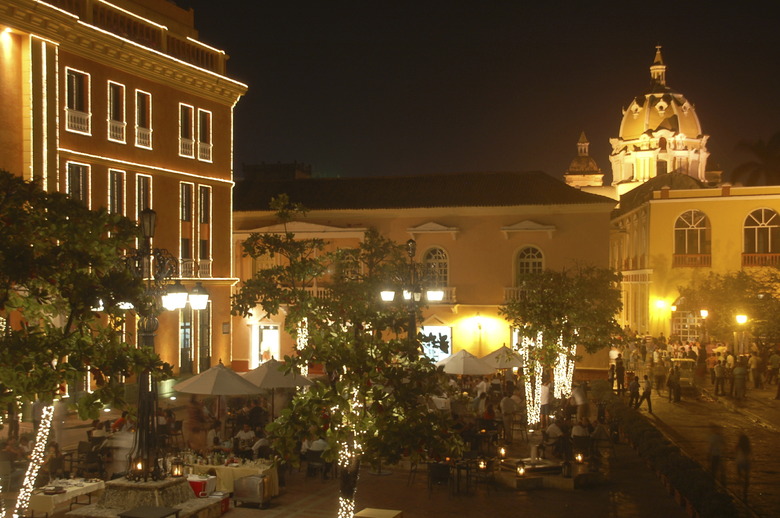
(660, 108)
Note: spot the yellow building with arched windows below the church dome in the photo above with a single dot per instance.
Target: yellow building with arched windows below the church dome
(673, 230)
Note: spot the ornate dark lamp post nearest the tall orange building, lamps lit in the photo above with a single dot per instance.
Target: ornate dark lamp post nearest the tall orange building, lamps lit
(157, 266)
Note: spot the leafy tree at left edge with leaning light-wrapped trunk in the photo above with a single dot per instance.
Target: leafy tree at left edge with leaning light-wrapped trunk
(58, 261)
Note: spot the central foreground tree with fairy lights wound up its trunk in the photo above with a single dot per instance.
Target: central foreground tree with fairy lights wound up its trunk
(371, 406)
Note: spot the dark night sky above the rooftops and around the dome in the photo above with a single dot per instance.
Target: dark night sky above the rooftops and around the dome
(370, 88)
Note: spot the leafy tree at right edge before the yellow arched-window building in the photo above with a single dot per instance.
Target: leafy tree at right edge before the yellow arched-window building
(754, 294)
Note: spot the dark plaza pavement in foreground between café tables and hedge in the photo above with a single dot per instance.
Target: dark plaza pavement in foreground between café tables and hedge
(630, 490)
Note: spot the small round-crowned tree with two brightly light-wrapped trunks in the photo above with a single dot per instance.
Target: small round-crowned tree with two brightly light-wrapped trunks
(556, 312)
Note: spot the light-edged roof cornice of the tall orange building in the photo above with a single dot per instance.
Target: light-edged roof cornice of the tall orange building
(78, 37)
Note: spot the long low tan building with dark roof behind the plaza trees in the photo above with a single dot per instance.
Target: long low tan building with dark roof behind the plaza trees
(478, 240)
